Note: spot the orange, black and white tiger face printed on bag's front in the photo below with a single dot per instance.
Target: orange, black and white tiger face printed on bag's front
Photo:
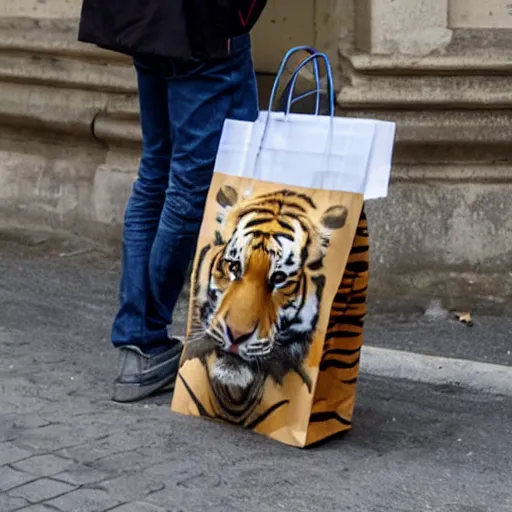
(259, 284)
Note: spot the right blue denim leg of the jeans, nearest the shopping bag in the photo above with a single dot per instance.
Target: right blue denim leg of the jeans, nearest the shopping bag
(198, 106)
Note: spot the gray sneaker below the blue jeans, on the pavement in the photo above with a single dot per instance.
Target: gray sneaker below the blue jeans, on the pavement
(140, 375)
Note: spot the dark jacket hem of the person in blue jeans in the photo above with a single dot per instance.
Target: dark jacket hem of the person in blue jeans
(182, 29)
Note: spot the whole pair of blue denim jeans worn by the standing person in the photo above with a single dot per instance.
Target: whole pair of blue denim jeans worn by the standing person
(183, 107)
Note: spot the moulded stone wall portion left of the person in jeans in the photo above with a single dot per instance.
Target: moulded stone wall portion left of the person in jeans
(62, 106)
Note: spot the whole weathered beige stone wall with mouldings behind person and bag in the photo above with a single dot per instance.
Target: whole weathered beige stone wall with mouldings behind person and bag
(69, 134)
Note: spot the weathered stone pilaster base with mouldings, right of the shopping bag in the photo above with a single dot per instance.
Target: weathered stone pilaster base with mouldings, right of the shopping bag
(441, 69)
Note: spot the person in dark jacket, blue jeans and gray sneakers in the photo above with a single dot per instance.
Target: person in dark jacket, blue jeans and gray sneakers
(194, 70)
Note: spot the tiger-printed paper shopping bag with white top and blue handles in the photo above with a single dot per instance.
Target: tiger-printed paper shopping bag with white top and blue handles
(280, 274)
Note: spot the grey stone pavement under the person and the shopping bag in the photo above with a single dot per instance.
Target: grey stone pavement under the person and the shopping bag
(64, 446)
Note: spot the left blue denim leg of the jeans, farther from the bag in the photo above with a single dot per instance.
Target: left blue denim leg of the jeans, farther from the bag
(135, 322)
